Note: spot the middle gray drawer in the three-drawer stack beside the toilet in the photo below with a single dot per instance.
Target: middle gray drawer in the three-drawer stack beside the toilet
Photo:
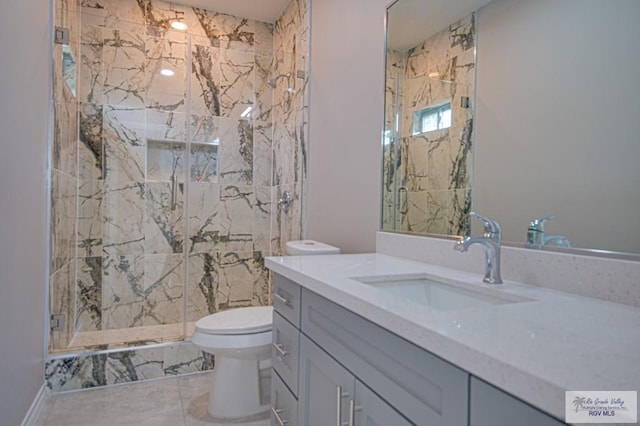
(284, 351)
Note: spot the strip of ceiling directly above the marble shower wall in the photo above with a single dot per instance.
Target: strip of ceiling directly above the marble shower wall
(260, 10)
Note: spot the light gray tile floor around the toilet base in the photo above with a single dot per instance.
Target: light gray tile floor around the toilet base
(176, 401)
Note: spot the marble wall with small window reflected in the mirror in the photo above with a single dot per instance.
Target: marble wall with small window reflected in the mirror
(427, 175)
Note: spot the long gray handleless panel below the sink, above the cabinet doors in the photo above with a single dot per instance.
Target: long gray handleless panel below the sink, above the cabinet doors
(421, 386)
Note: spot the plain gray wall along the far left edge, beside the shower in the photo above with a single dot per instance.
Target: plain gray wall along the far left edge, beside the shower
(23, 122)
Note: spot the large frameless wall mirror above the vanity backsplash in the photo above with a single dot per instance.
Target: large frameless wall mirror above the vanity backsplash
(552, 125)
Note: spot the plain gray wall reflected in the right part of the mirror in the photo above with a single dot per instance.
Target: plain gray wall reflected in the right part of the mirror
(557, 119)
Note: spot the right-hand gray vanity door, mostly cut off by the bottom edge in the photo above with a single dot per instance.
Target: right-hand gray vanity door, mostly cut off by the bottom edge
(371, 410)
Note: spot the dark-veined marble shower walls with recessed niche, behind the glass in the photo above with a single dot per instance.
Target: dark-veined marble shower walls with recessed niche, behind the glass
(118, 238)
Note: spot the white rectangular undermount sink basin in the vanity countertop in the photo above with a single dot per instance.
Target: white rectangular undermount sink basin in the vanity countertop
(437, 293)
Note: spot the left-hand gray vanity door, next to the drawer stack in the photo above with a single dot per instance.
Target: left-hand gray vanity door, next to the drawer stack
(325, 388)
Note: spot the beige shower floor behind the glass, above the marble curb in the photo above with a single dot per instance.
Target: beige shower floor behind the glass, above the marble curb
(130, 336)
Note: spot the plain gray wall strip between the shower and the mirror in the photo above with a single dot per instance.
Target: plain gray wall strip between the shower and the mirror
(346, 115)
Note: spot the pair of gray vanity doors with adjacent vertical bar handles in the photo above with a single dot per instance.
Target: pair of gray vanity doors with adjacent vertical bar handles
(330, 394)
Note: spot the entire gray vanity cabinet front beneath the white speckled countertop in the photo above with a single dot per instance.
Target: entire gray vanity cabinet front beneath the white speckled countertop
(333, 367)
